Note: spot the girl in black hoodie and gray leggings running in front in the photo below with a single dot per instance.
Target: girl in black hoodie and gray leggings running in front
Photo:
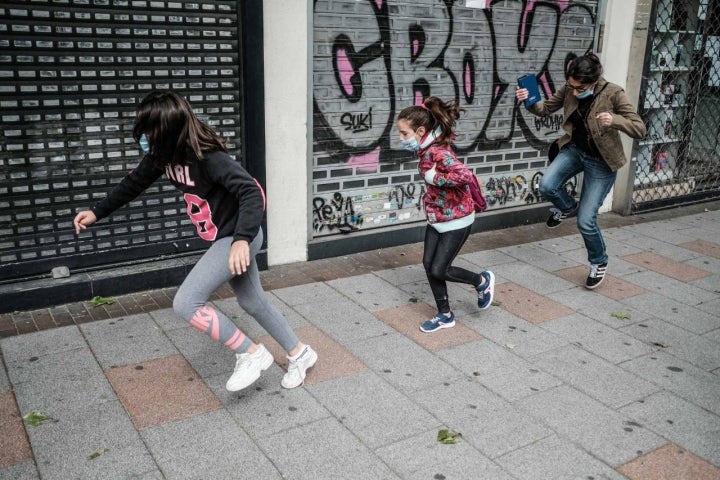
(226, 205)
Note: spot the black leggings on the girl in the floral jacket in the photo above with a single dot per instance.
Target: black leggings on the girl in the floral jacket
(440, 251)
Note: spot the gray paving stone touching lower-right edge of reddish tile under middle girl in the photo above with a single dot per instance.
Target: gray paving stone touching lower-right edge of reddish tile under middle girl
(498, 369)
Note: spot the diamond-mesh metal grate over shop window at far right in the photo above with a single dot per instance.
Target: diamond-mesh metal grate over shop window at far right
(679, 160)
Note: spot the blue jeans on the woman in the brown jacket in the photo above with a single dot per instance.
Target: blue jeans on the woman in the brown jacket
(598, 179)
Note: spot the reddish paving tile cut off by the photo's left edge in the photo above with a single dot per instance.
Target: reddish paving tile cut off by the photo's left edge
(14, 446)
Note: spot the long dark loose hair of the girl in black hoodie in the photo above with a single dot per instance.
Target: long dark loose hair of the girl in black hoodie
(171, 127)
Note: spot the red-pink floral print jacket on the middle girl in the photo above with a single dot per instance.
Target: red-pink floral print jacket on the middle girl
(448, 196)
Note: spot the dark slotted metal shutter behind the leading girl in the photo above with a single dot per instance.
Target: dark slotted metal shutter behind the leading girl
(71, 73)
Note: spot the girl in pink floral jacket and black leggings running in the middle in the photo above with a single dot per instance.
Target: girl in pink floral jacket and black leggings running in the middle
(427, 131)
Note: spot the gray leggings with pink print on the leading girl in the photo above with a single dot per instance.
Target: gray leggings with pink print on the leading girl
(208, 274)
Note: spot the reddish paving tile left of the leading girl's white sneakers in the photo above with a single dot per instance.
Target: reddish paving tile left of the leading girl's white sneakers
(161, 390)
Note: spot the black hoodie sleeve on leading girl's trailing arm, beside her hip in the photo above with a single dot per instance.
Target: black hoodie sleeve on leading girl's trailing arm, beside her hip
(227, 172)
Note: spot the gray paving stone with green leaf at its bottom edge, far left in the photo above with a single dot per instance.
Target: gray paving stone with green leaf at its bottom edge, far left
(59, 382)
